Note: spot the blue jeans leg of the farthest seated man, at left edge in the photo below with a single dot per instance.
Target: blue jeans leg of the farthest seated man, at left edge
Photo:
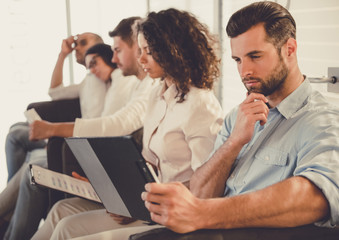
(17, 145)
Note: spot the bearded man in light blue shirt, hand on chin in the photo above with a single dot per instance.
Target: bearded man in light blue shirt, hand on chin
(276, 159)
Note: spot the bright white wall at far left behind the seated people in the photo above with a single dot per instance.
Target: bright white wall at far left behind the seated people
(30, 39)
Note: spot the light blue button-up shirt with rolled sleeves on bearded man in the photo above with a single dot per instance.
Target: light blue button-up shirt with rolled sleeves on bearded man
(305, 143)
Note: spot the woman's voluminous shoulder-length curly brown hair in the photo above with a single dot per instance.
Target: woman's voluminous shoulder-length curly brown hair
(182, 46)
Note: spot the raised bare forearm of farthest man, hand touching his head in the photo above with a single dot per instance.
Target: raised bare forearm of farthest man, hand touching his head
(66, 48)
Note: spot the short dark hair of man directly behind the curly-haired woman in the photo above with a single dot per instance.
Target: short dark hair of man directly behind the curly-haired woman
(125, 30)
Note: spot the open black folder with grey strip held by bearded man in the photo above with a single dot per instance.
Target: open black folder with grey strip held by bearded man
(117, 172)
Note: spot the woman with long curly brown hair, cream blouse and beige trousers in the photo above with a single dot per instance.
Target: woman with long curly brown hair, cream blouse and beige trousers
(182, 120)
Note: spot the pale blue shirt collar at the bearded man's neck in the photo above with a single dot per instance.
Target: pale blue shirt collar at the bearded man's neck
(296, 100)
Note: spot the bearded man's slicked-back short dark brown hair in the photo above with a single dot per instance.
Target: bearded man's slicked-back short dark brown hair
(278, 22)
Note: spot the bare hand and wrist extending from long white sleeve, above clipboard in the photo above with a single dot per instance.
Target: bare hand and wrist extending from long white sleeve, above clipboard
(43, 130)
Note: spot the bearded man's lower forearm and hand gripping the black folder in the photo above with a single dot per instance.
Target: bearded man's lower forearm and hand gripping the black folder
(292, 202)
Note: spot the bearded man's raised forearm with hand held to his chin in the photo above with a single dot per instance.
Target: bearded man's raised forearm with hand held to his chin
(209, 180)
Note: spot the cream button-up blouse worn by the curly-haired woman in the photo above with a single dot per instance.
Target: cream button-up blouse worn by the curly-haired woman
(178, 137)
